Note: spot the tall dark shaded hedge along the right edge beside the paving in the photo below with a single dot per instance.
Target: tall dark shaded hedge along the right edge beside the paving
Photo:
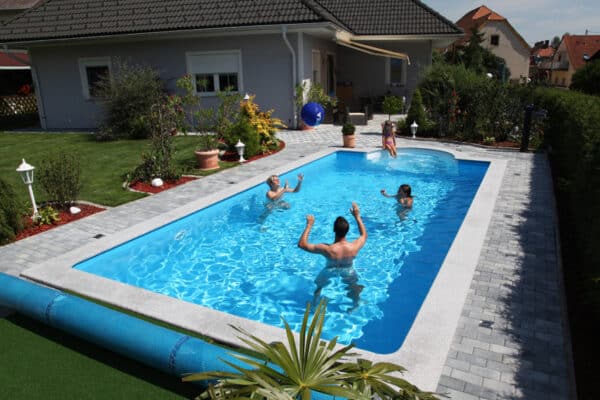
(572, 132)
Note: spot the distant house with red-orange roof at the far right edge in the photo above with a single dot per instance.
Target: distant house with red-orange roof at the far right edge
(572, 53)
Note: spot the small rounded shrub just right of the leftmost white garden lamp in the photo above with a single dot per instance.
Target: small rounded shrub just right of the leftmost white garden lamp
(59, 177)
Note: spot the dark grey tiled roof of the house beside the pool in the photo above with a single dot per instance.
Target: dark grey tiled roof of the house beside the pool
(62, 19)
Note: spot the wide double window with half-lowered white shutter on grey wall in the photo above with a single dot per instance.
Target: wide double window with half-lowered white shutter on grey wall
(215, 71)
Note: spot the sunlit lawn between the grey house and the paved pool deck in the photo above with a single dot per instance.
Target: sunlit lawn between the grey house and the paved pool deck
(102, 163)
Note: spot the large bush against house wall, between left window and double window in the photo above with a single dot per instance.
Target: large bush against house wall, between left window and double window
(127, 97)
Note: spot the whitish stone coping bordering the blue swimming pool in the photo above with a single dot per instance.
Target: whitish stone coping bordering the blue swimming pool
(426, 345)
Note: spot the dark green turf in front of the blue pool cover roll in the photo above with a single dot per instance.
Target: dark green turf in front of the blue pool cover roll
(40, 362)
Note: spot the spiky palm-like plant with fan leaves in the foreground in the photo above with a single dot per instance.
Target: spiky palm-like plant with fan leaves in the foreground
(309, 364)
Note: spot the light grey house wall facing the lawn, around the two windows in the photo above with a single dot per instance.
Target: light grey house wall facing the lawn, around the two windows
(266, 72)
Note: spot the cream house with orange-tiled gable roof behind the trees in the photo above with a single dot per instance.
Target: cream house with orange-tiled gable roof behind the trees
(500, 38)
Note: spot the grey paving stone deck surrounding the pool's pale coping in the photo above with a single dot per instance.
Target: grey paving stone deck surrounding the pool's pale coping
(512, 337)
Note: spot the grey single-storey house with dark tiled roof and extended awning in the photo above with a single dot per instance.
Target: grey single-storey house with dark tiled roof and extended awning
(262, 47)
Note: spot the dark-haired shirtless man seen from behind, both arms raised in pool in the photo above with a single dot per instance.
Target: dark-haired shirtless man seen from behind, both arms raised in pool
(340, 254)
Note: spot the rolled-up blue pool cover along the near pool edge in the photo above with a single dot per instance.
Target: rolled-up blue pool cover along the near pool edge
(161, 348)
